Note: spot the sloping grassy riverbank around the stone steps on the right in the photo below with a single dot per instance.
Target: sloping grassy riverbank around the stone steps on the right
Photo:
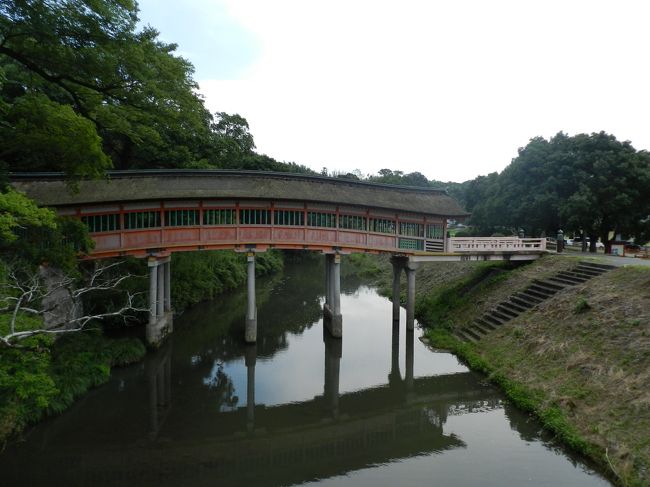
(580, 361)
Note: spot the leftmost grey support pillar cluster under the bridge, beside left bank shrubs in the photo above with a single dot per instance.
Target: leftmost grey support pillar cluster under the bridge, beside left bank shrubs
(160, 316)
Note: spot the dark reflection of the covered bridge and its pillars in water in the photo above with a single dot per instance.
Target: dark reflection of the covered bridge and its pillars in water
(330, 435)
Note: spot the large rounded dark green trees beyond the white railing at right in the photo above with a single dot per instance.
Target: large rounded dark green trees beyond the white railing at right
(593, 183)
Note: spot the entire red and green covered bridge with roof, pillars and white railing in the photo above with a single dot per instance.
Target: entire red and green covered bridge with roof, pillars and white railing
(152, 214)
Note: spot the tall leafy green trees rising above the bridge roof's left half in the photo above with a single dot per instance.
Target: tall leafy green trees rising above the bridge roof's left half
(83, 90)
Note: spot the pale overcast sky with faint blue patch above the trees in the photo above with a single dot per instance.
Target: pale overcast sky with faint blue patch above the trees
(451, 89)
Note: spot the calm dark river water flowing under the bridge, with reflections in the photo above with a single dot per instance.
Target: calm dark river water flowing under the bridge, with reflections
(376, 408)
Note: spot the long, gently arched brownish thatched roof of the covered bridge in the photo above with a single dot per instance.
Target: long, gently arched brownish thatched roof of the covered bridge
(50, 189)
